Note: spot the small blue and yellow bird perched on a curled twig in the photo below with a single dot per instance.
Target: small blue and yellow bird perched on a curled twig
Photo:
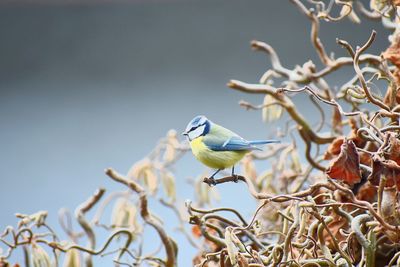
(217, 147)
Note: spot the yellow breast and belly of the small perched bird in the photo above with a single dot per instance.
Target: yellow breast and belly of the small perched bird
(215, 159)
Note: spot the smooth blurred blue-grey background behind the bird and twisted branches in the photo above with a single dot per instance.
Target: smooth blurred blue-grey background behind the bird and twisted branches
(89, 85)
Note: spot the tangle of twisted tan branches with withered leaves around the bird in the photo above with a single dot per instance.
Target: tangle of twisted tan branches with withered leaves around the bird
(328, 199)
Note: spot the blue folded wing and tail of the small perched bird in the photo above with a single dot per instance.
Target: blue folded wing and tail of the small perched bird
(235, 143)
